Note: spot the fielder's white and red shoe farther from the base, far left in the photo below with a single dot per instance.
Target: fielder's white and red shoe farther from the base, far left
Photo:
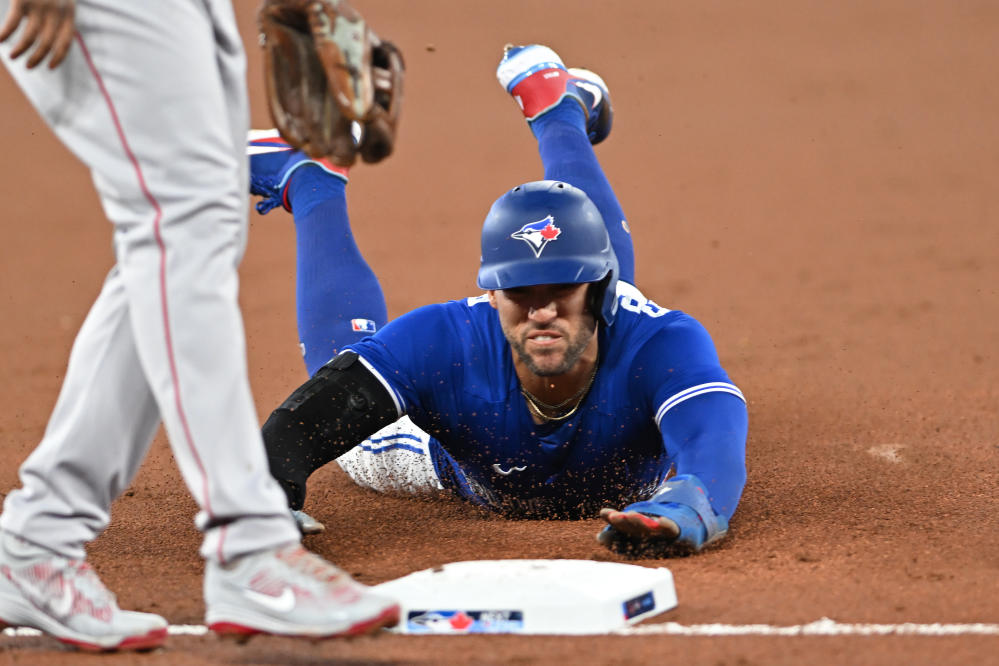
(65, 599)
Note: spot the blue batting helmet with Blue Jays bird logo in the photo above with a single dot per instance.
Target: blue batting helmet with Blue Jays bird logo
(549, 232)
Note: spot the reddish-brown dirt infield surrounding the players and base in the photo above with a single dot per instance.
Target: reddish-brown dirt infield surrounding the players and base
(815, 182)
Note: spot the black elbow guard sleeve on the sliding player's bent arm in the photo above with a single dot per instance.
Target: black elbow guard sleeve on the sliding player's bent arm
(331, 413)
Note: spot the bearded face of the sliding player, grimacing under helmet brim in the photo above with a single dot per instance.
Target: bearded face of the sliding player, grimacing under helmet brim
(549, 326)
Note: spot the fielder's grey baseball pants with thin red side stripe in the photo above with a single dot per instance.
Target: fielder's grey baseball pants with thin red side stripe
(163, 160)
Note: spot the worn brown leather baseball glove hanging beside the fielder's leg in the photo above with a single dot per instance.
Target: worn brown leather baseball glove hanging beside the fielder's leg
(334, 88)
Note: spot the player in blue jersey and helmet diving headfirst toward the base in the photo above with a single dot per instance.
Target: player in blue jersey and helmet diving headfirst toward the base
(561, 392)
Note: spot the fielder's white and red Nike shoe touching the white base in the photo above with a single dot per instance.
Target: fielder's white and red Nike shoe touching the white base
(291, 592)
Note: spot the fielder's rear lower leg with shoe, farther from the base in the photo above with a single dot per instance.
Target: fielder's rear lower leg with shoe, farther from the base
(46, 583)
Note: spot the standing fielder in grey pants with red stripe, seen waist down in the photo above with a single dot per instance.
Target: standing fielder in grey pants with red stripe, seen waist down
(151, 96)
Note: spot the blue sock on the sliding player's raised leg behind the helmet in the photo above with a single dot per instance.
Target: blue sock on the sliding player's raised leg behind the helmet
(568, 156)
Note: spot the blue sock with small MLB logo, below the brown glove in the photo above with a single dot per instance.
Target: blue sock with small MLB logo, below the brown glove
(339, 298)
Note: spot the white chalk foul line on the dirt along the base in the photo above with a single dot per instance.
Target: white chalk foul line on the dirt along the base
(823, 627)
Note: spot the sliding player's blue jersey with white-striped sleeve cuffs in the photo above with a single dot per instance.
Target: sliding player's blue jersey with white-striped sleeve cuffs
(450, 368)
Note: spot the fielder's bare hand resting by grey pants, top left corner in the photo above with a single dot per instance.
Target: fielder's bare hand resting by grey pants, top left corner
(48, 24)
